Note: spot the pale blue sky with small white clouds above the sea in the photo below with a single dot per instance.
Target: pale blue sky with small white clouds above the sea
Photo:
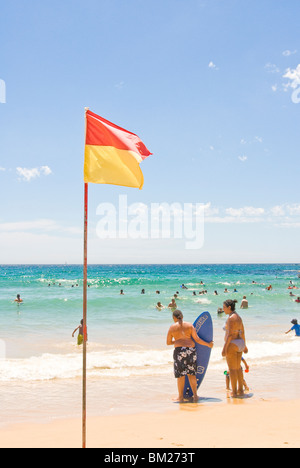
(212, 87)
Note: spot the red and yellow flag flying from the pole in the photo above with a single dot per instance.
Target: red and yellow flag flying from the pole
(112, 154)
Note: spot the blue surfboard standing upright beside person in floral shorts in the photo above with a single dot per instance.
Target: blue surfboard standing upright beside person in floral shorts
(204, 329)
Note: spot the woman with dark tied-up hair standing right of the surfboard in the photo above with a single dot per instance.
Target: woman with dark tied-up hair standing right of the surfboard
(235, 346)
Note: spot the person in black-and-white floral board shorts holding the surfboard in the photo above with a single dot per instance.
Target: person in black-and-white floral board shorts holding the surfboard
(182, 335)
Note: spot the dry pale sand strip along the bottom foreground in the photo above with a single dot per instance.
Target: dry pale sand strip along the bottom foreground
(236, 423)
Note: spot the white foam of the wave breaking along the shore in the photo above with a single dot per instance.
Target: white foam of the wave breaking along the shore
(136, 362)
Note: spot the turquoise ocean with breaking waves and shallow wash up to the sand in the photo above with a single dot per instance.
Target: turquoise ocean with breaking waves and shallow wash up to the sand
(129, 364)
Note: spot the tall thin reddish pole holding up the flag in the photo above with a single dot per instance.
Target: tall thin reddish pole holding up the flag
(85, 264)
